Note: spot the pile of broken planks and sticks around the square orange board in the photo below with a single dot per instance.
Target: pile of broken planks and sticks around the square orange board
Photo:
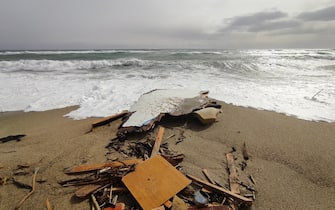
(152, 180)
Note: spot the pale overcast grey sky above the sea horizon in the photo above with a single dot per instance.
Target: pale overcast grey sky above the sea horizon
(148, 24)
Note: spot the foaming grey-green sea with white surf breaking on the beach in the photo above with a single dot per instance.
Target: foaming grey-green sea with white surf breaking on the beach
(296, 82)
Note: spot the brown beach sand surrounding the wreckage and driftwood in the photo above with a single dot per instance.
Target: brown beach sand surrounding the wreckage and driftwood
(292, 160)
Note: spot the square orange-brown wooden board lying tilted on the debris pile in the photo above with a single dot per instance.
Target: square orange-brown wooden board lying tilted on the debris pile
(154, 181)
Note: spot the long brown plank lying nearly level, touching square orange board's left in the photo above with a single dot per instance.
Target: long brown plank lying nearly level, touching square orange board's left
(97, 166)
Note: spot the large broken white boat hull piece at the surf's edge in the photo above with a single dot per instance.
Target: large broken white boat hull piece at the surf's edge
(151, 107)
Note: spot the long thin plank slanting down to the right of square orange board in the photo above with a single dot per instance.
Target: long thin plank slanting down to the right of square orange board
(215, 188)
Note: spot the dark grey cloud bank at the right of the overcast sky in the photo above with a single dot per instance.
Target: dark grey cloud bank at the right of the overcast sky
(278, 23)
